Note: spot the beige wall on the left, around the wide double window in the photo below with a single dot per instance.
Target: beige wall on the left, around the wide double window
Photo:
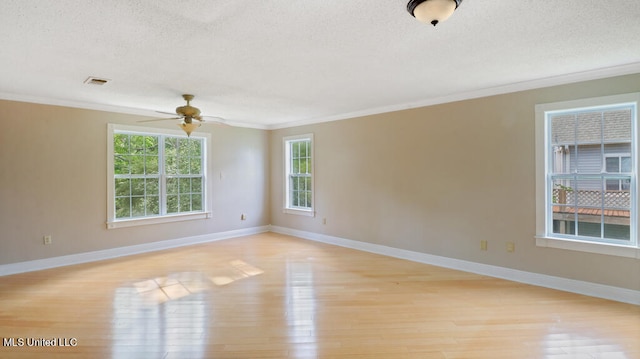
(53, 181)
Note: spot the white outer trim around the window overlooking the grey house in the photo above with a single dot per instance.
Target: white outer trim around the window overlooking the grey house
(543, 237)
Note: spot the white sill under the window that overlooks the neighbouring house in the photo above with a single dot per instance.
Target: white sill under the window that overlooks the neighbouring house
(591, 247)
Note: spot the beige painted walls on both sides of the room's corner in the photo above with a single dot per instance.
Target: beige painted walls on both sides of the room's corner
(435, 180)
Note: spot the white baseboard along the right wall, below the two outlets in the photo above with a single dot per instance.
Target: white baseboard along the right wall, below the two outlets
(568, 285)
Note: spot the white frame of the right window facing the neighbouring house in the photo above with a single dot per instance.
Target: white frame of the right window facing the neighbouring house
(544, 231)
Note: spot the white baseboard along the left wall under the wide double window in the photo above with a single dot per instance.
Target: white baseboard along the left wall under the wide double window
(39, 264)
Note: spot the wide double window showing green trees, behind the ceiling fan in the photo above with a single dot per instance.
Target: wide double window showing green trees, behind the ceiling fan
(155, 176)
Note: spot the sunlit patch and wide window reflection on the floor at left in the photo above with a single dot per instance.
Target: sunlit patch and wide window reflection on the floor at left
(169, 314)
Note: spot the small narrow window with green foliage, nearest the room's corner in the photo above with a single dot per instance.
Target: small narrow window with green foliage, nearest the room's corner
(298, 152)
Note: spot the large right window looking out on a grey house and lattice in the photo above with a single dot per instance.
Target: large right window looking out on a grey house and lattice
(586, 174)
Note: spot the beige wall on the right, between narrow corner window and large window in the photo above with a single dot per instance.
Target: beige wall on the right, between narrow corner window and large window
(439, 179)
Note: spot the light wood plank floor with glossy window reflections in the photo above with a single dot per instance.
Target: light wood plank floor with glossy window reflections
(273, 296)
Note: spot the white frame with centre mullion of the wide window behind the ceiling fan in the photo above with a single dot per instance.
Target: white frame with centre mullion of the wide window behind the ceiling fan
(112, 222)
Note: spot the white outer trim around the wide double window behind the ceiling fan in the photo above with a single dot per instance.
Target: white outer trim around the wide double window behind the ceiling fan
(112, 222)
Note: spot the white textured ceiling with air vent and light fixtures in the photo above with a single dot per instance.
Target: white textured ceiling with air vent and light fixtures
(276, 63)
